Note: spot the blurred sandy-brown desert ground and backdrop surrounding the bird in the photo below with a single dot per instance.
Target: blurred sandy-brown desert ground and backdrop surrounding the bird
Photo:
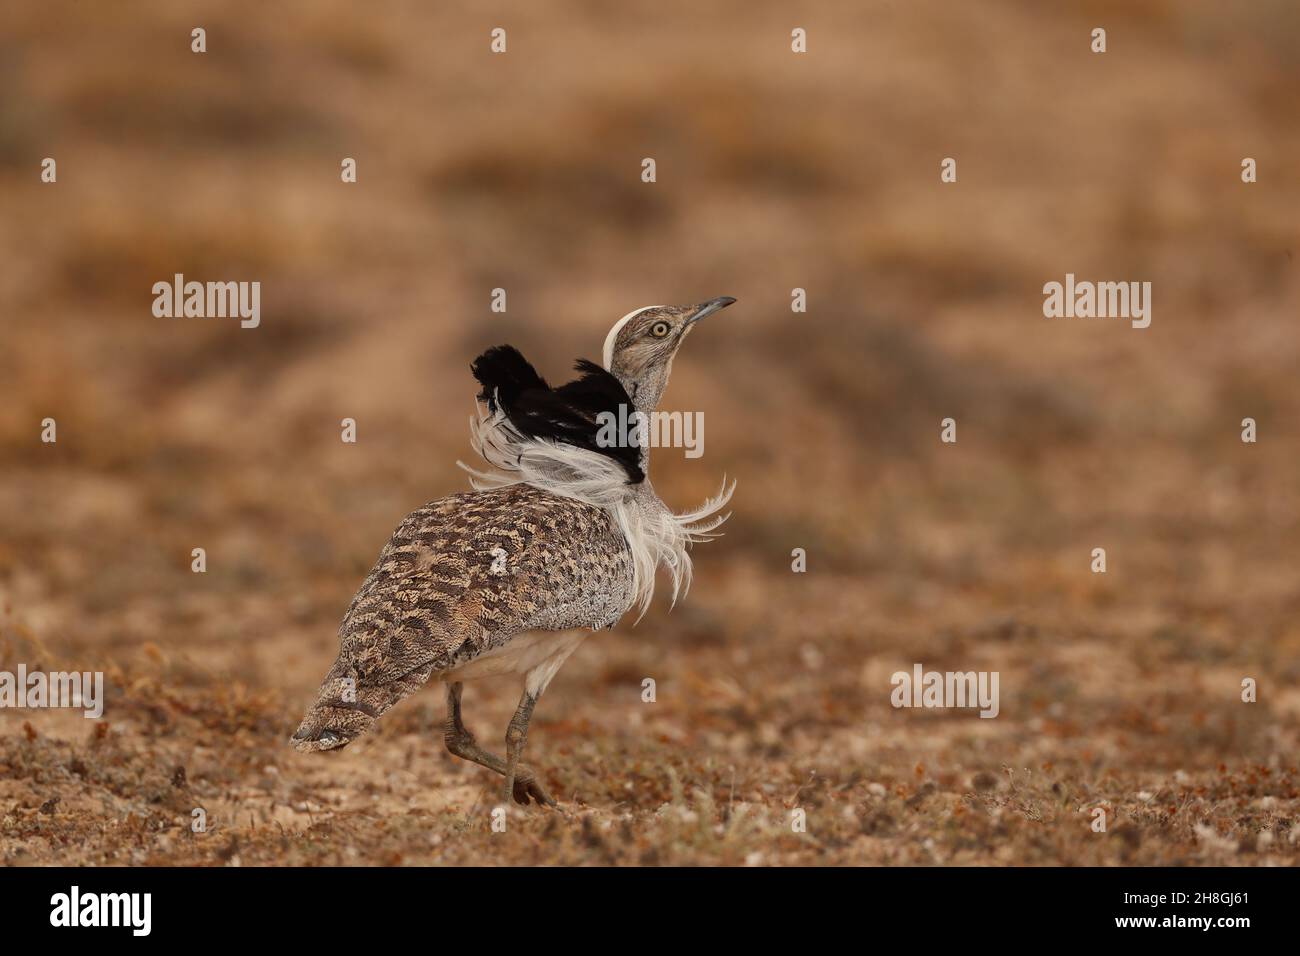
(775, 171)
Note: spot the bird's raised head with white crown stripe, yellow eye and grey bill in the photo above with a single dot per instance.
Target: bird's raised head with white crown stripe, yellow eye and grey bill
(640, 348)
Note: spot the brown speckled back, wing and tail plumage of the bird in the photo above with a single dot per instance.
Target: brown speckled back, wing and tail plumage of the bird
(434, 600)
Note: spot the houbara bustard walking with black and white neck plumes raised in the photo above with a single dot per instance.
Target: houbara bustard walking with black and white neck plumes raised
(565, 533)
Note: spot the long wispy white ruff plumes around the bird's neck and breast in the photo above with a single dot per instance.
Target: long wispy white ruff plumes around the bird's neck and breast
(656, 535)
